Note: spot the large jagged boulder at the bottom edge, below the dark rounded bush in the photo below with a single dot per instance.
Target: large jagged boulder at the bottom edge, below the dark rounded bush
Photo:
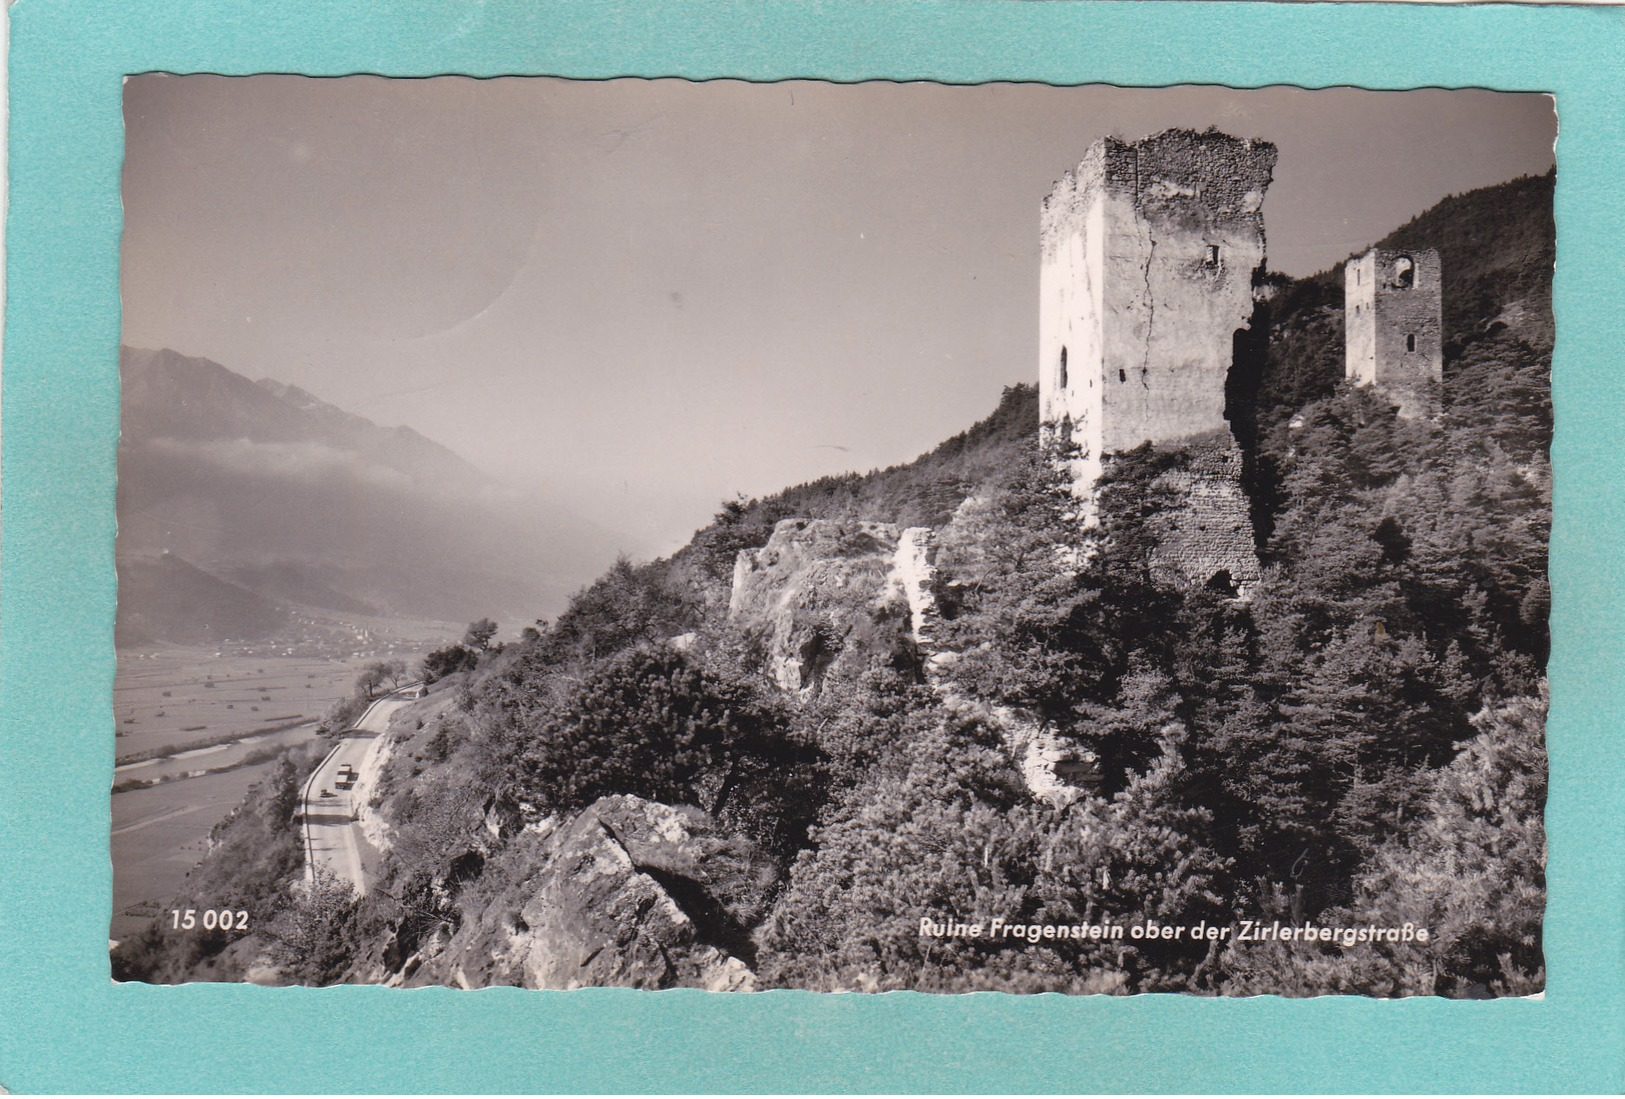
(630, 893)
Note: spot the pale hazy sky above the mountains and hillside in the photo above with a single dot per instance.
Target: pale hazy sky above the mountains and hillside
(646, 297)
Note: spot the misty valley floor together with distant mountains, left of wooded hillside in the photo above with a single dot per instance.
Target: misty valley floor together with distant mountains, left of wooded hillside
(271, 547)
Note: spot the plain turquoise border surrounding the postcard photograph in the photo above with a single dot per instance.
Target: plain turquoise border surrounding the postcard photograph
(64, 1027)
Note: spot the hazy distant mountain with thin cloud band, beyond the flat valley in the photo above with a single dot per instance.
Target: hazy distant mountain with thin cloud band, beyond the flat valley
(275, 493)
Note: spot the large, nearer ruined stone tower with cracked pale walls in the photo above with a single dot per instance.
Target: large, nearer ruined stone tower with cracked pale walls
(1150, 256)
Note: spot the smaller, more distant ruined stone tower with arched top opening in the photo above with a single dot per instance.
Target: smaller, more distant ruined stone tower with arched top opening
(1395, 332)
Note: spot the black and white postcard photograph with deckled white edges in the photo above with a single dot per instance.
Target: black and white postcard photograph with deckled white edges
(865, 537)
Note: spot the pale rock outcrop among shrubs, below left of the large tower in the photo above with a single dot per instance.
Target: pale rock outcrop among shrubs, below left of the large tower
(821, 599)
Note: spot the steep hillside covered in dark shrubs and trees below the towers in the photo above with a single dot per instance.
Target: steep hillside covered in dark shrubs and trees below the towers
(813, 776)
